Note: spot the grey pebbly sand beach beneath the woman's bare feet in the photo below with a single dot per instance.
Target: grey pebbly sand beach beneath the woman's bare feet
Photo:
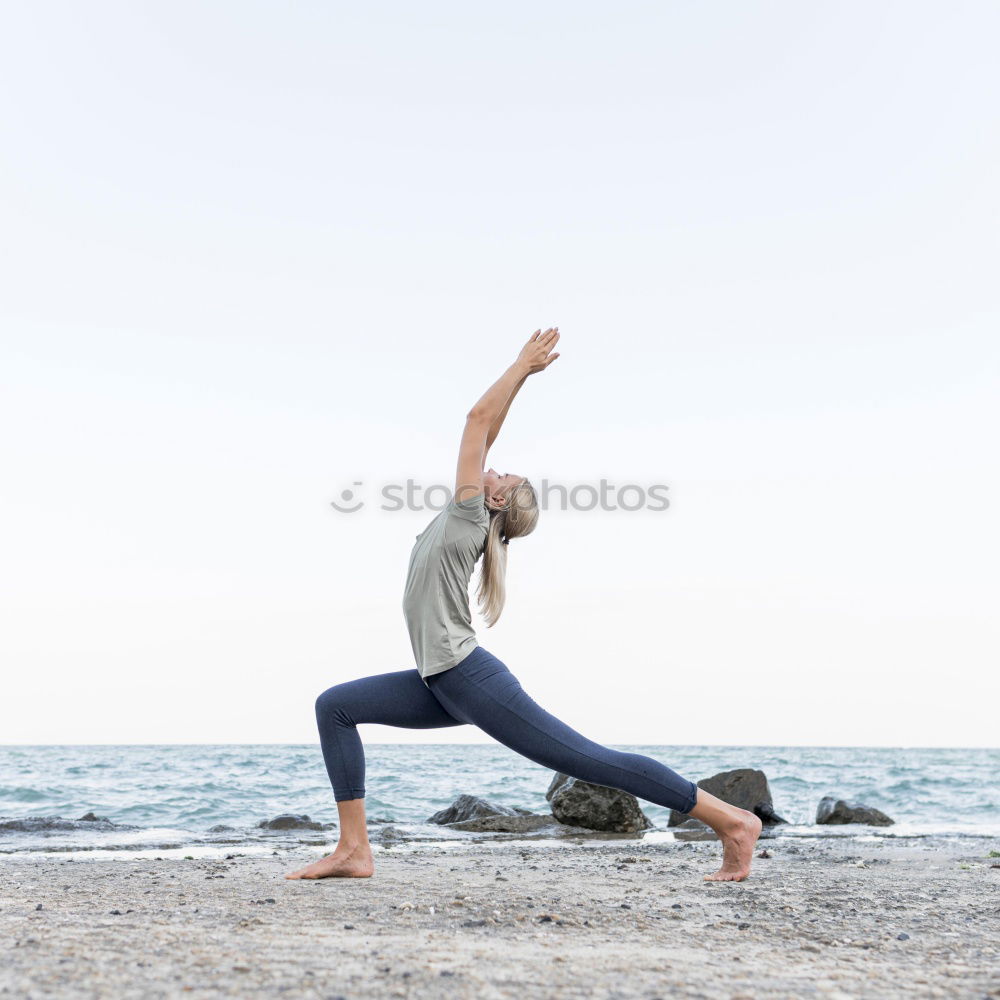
(615, 919)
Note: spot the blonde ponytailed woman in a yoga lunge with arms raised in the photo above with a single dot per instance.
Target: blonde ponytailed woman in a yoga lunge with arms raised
(456, 681)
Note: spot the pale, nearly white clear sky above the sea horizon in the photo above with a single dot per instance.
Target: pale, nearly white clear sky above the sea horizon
(257, 254)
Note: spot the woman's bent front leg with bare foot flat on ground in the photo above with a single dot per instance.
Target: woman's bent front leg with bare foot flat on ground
(399, 698)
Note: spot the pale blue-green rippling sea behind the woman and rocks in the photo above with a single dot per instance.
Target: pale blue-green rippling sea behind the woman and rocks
(199, 801)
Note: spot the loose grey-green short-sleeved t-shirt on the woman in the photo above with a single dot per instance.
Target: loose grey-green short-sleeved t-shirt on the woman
(436, 596)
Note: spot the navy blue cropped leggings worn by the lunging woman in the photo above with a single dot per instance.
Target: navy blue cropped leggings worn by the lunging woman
(480, 691)
